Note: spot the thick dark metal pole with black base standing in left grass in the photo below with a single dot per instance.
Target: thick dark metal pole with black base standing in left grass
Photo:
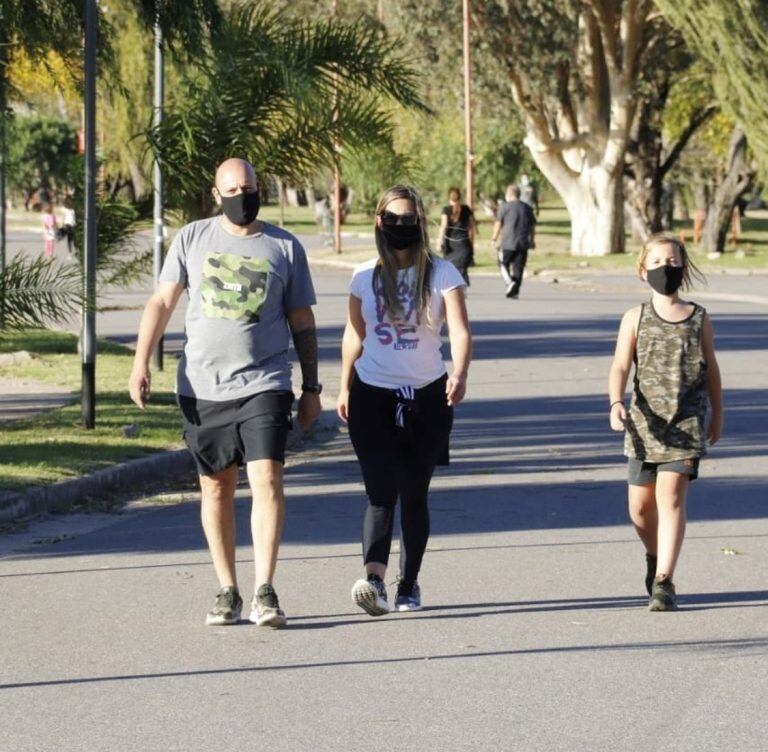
(88, 339)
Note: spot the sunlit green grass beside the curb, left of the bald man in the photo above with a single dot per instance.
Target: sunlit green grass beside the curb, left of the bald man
(53, 446)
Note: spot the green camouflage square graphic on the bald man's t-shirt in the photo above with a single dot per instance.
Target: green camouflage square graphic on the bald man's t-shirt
(233, 287)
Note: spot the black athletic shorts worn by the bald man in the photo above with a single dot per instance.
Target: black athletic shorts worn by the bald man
(220, 434)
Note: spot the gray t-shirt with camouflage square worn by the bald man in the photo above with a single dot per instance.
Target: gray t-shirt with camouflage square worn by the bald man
(240, 291)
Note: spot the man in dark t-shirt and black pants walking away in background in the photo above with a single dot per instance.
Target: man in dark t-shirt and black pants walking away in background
(513, 236)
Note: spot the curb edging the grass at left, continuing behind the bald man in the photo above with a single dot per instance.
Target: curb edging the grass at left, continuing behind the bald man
(134, 476)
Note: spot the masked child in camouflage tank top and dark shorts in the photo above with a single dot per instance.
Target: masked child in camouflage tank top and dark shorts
(670, 342)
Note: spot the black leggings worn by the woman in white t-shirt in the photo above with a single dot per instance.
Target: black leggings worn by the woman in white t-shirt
(398, 461)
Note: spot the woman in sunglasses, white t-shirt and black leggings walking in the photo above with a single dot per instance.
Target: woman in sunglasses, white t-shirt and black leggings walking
(395, 393)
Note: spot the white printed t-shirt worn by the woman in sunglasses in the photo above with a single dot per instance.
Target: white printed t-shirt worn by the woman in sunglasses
(406, 352)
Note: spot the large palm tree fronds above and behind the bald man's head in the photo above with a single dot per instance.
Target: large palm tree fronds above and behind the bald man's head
(282, 93)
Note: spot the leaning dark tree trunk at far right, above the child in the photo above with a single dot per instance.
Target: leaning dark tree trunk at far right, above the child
(736, 182)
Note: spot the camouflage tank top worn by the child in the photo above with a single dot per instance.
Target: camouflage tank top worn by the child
(669, 404)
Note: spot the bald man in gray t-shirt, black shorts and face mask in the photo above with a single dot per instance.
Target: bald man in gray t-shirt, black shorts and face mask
(249, 286)
